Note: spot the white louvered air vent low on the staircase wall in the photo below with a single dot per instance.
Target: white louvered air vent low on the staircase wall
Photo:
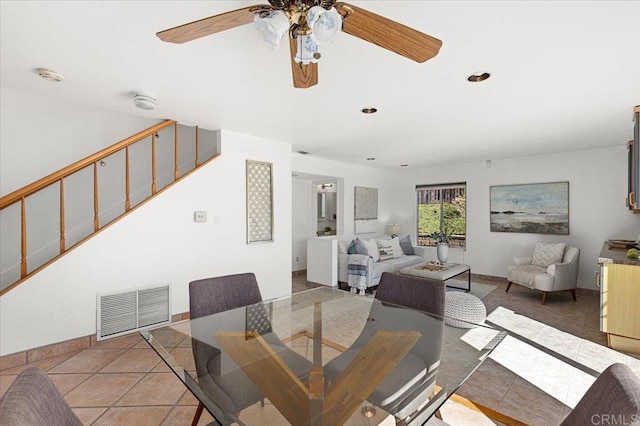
(133, 310)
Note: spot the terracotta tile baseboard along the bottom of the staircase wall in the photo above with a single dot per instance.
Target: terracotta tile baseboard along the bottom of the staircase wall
(60, 348)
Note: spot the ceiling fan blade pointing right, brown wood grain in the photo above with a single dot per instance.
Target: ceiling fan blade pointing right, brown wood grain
(388, 34)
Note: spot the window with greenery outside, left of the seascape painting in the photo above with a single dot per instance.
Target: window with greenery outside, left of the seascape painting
(442, 208)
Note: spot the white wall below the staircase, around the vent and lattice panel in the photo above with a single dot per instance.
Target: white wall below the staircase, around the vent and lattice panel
(160, 243)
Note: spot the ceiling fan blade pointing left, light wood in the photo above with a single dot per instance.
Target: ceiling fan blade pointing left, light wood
(211, 25)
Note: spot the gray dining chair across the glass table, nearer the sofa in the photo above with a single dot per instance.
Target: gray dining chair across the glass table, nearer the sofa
(413, 379)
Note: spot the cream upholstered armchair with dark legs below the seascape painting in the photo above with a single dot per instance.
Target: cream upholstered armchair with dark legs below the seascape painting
(553, 267)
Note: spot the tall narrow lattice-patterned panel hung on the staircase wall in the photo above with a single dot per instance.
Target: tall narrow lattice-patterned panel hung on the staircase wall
(259, 202)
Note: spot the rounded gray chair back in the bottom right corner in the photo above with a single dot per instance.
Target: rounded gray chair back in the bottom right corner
(614, 398)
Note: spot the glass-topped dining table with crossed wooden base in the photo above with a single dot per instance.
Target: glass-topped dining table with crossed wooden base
(323, 357)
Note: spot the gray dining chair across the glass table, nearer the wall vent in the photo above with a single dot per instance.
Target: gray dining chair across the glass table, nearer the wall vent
(230, 388)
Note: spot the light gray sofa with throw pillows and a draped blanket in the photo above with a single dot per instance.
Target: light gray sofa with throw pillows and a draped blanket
(377, 264)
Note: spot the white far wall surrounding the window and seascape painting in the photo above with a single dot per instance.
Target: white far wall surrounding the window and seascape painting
(597, 191)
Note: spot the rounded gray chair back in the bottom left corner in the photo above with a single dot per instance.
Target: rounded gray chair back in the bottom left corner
(33, 399)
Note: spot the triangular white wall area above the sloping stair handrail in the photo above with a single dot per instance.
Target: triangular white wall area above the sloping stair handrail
(41, 135)
